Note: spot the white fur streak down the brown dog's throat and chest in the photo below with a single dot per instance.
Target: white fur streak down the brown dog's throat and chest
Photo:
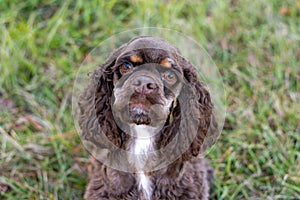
(140, 147)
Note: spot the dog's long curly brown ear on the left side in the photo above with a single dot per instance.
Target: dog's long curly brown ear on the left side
(96, 118)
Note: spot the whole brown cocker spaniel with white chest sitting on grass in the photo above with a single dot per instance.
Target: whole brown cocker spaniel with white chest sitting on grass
(147, 102)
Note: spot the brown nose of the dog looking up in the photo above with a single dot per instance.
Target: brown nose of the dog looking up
(145, 85)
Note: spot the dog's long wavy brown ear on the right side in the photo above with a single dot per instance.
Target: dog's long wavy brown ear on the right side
(191, 115)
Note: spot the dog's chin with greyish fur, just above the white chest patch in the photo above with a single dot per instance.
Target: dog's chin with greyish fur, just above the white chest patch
(139, 115)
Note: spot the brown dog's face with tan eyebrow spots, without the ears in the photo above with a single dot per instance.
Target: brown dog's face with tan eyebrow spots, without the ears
(147, 83)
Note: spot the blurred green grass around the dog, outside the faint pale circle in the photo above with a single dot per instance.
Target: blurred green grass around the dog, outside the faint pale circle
(255, 45)
